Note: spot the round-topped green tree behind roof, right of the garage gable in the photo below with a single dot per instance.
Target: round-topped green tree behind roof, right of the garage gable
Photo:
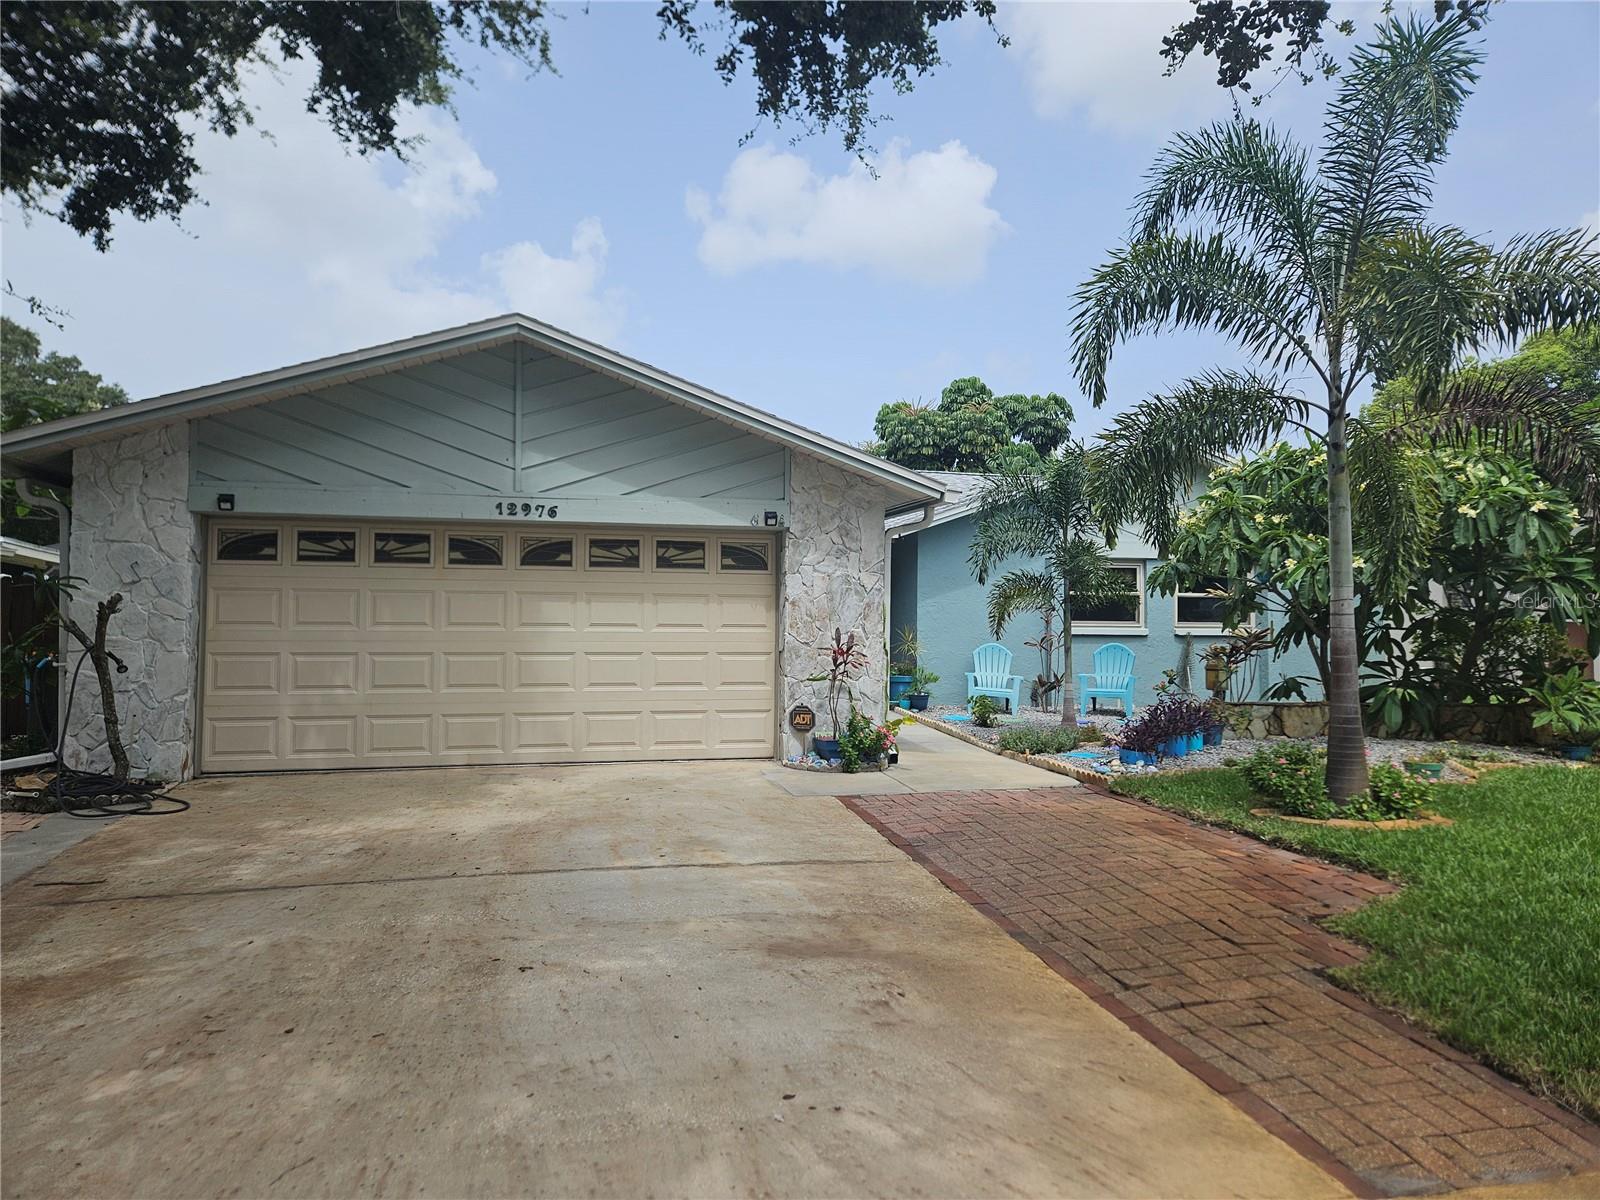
(974, 430)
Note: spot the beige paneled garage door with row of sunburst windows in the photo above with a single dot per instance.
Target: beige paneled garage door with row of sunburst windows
(340, 644)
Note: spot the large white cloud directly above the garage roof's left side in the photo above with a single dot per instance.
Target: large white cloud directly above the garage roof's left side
(303, 249)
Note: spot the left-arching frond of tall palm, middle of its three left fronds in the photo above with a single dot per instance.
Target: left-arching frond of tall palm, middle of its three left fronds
(1188, 282)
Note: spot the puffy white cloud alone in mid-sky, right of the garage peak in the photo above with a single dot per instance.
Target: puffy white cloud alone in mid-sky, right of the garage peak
(924, 217)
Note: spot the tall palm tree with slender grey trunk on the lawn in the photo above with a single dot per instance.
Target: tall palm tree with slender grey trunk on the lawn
(1324, 271)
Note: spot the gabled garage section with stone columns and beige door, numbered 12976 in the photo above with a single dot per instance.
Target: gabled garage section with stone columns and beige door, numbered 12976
(492, 545)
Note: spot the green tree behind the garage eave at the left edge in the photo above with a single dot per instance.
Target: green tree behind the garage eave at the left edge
(41, 388)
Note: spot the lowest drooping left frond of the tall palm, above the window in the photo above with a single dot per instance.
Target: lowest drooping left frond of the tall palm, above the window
(1156, 452)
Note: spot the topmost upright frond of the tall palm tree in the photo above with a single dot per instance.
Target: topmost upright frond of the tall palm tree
(1399, 102)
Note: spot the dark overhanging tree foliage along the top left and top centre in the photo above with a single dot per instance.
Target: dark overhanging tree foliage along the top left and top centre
(102, 100)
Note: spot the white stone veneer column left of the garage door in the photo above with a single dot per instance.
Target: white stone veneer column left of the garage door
(134, 534)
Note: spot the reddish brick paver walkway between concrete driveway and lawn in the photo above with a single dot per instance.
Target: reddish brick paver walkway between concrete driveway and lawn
(1207, 945)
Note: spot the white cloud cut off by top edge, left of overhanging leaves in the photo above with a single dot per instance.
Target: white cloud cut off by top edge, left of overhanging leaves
(1102, 63)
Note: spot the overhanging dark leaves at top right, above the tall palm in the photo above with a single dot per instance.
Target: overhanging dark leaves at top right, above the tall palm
(1244, 34)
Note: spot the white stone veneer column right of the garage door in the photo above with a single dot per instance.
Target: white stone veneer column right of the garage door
(834, 575)
